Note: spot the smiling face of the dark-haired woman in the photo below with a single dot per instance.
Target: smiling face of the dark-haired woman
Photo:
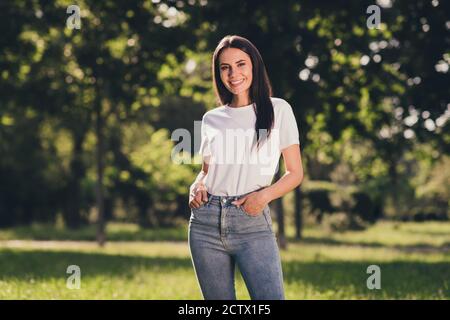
(236, 71)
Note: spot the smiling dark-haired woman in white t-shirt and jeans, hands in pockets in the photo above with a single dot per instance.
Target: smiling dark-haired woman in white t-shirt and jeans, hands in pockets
(242, 141)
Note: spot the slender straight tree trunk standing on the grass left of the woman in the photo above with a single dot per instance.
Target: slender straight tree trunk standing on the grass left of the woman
(101, 238)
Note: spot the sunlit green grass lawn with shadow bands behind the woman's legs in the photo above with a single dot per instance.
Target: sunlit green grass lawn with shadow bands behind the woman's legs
(414, 259)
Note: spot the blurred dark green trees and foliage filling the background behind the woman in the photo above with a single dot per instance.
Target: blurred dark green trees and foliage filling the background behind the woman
(86, 116)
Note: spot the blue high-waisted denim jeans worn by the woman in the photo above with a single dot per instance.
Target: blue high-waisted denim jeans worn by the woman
(222, 235)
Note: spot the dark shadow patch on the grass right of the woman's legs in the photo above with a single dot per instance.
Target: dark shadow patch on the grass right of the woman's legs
(398, 279)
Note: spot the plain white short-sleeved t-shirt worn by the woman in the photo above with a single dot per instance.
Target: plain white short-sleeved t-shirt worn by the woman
(227, 137)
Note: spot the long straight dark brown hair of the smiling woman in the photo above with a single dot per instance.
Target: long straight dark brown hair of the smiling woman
(260, 89)
